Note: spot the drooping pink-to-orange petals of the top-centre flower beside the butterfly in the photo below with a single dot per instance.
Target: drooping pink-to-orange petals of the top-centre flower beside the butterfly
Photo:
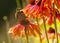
(32, 11)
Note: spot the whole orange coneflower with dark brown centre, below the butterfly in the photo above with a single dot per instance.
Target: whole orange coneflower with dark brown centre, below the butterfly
(19, 29)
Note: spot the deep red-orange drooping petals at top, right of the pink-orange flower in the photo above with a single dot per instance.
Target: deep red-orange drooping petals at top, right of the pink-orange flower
(46, 7)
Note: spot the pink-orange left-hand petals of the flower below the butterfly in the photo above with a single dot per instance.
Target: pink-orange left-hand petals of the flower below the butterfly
(16, 30)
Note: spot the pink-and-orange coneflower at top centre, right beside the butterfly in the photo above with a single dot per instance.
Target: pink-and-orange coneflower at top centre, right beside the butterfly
(33, 11)
